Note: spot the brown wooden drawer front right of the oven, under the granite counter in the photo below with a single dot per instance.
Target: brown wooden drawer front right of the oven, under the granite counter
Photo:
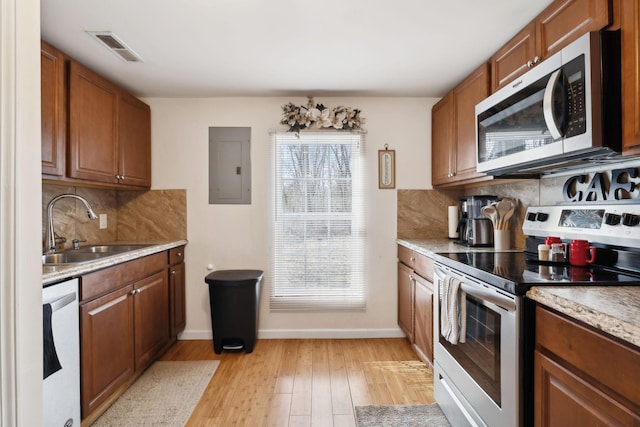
(594, 354)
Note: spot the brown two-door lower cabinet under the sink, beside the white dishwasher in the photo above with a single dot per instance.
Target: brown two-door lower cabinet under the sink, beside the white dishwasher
(125, 315)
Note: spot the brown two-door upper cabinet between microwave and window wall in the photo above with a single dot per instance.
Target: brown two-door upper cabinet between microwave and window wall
(453, 136)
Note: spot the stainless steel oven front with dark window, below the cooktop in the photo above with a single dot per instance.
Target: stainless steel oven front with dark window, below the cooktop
(477, 380)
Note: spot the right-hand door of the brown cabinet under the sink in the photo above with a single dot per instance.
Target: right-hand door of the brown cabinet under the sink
(151, 317)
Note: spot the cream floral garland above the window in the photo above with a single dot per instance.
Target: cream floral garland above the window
(319, 116)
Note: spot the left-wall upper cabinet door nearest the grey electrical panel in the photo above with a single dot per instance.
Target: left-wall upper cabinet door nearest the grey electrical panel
(134, 141)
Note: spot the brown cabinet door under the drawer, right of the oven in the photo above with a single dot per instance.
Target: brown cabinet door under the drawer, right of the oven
(563, 399)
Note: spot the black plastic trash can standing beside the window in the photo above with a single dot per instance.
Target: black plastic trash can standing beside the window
(234, 296)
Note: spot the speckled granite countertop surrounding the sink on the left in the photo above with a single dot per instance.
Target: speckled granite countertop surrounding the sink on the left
(52, 274)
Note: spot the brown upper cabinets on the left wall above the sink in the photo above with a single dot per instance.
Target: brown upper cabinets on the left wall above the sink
(108, 139)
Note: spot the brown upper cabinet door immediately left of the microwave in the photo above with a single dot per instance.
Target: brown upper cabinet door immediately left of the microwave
(467, 94)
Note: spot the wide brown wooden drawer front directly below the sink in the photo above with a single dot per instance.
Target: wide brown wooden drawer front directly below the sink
(103, 281)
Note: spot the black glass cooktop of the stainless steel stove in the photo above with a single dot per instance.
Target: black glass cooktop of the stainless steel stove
(514, 273)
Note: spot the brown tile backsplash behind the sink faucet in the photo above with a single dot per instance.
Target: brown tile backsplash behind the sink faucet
(132, 216)
